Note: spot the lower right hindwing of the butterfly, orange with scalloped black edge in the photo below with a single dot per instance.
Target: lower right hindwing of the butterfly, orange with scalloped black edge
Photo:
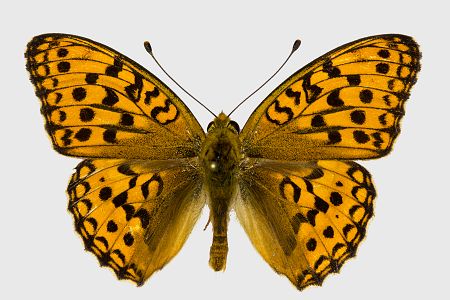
(305, 219)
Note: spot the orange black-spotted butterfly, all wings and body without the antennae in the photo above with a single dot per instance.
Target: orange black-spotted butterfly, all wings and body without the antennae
(149, 168)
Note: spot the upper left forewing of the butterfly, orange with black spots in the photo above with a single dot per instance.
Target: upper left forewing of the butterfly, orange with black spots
(99, 103)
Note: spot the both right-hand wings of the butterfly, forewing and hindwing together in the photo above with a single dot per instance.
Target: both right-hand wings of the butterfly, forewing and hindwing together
(304, 206)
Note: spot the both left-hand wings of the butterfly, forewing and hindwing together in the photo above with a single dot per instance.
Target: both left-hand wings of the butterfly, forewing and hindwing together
(130, 207)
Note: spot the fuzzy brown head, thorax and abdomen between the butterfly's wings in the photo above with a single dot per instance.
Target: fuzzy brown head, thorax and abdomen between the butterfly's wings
(220, 157)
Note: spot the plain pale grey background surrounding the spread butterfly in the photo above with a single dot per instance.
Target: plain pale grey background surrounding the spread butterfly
(222, 52)
